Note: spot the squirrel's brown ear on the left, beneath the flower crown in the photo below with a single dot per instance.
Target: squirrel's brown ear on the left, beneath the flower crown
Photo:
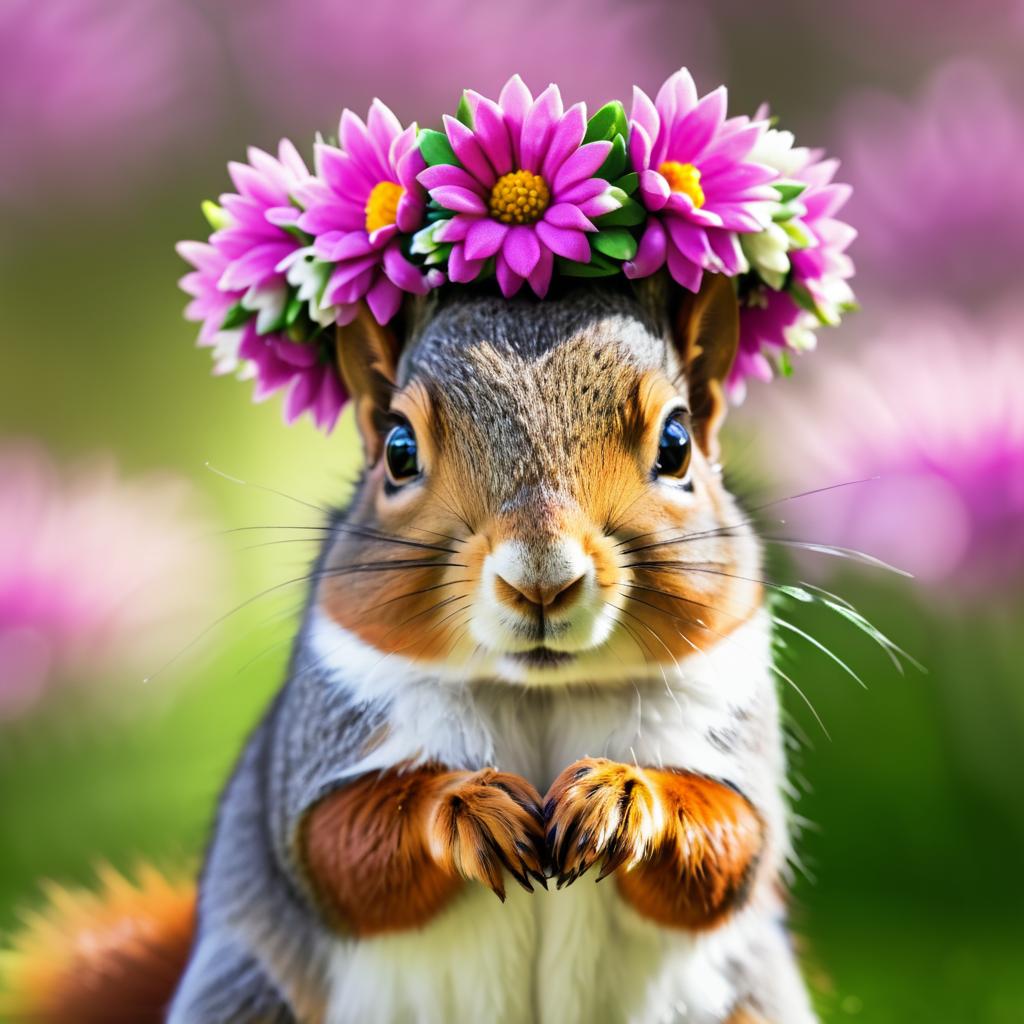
(368, 359)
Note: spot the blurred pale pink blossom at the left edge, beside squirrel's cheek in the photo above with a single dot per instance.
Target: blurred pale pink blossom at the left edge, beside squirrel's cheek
(102, 579)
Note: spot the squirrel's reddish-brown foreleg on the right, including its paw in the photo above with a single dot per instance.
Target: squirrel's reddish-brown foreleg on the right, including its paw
(685, 847)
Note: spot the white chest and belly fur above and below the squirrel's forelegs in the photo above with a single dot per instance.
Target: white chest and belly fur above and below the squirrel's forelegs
(580, 955)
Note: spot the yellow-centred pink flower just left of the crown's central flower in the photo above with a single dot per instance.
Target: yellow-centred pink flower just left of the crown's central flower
(365, 195)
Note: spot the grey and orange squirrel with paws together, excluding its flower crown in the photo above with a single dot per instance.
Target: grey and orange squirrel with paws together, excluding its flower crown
(535, 657)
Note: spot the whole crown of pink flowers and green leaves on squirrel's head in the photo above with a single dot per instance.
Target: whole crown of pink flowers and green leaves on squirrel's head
(519, 190)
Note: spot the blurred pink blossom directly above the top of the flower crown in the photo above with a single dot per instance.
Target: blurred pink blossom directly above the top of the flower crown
(422, 57)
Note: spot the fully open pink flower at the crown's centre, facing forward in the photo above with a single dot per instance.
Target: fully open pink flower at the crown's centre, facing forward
(526, 190)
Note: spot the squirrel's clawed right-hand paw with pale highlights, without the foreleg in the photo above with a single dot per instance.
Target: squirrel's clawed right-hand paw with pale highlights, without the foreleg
(601, 810)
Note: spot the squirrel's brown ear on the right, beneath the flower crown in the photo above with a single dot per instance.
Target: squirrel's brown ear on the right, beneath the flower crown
(707, 333)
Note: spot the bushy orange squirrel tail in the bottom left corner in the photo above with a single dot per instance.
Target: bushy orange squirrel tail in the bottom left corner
(113, 956)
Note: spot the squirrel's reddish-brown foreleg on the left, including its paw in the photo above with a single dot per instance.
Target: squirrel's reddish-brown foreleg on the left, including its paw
(391, 851)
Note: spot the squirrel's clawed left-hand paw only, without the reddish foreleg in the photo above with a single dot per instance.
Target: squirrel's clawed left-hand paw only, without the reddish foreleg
(487, 821)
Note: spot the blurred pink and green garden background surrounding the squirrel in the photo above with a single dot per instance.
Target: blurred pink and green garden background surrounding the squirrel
(142, 500)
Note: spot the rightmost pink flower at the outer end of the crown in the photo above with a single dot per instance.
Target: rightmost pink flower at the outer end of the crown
(774, 322)
